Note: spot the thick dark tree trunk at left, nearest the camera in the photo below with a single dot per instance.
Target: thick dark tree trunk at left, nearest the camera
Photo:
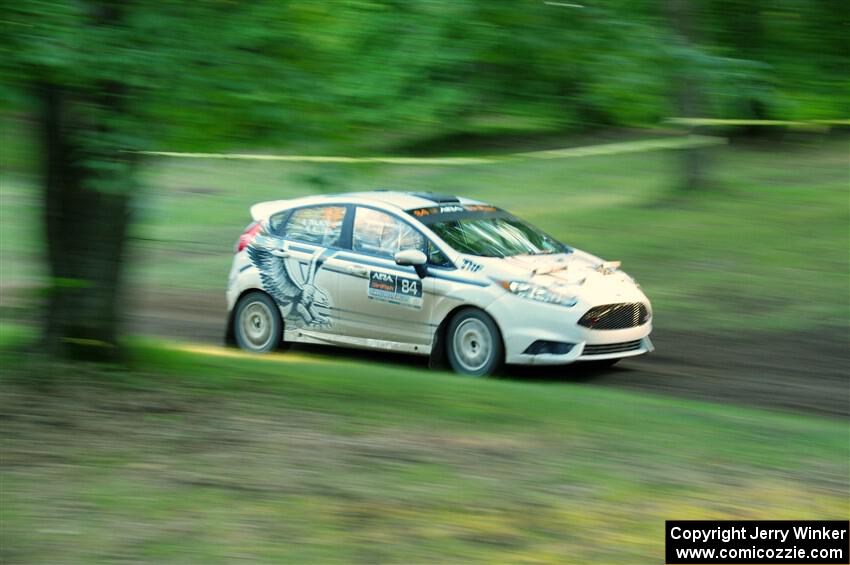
(86, 232)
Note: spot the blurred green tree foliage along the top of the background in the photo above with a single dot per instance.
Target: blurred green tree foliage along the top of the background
(203, 74)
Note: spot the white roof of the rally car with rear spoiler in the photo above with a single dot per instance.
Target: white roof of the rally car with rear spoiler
(389, 198)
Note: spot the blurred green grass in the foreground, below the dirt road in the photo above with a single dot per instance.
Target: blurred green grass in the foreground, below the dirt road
(194, 457)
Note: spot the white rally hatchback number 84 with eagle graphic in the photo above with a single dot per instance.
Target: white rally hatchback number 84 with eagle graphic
(457, 279)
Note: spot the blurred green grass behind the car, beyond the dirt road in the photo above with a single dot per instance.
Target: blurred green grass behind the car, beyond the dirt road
(765, 248)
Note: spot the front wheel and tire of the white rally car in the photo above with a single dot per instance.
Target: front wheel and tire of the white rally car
(474, 344)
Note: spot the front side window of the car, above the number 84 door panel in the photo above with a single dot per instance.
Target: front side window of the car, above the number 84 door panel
(378, 233)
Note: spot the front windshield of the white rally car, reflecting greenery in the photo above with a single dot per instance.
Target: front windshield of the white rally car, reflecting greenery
(495, 237)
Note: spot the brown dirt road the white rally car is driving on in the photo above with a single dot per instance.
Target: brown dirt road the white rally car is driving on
(805, 372)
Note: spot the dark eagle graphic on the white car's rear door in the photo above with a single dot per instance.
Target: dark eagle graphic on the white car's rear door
(291, 282)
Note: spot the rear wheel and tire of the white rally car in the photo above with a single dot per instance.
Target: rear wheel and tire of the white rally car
(257, 325)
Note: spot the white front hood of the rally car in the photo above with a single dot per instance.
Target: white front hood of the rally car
(576, 273)
